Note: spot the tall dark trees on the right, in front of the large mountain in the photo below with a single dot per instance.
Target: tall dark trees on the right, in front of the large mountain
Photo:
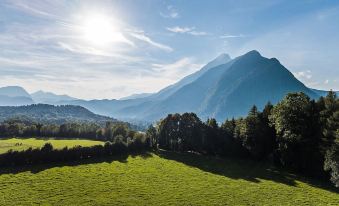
(297, 133)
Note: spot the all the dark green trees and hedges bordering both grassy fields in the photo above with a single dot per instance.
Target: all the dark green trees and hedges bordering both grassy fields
(297, 133)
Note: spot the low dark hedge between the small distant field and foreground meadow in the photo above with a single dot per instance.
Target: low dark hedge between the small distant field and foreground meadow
(48, 154)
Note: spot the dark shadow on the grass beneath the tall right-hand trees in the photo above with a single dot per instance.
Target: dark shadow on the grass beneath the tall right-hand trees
(245, 169)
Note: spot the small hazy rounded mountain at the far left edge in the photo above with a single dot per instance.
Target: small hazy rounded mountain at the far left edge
(14, 96)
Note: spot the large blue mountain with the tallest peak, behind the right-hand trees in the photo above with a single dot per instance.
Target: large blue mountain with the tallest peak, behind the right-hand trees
(222, 91)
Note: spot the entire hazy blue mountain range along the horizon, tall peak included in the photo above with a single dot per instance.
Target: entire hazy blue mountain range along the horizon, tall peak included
(224, 88)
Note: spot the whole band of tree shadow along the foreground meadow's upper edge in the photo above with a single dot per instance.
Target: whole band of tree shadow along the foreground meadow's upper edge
(234, 168)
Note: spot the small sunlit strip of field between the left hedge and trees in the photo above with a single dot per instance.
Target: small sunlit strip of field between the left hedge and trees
(21, 144)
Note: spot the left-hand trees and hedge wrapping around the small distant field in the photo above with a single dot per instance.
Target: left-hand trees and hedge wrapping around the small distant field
(119, 140)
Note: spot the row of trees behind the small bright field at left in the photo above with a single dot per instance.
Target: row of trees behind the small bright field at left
(93, 131)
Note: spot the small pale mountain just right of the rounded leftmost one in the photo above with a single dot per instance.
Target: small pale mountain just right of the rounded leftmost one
(50, 98)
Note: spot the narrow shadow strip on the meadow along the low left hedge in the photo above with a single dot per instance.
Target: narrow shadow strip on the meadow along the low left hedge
(41, 167)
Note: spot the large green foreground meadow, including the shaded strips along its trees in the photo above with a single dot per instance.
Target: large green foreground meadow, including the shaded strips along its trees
(163, 179)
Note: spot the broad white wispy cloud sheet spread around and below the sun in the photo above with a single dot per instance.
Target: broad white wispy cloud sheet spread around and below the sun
(49, 54)
